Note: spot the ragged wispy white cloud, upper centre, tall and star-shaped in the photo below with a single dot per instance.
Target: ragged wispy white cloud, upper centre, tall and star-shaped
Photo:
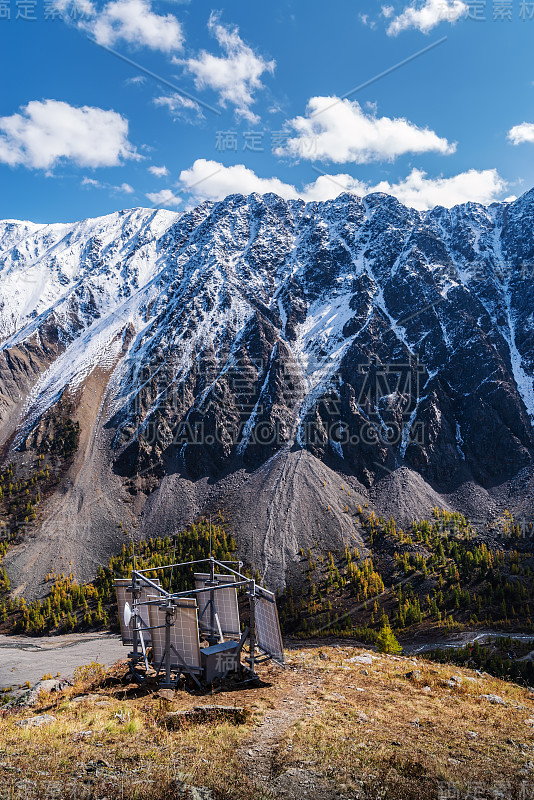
(236, 75)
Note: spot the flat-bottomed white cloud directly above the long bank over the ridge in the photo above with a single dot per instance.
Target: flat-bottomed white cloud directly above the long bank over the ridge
(340, 131)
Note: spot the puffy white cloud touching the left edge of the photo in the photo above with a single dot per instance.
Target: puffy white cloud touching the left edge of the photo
(49, 131)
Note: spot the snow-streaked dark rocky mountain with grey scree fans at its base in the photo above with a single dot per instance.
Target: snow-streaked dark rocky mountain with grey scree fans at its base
(257, 355)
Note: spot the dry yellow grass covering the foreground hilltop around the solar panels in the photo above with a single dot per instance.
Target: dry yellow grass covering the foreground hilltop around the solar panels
(325, 727)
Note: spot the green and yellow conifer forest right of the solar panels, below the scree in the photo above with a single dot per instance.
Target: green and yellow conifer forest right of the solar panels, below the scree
(436, 577)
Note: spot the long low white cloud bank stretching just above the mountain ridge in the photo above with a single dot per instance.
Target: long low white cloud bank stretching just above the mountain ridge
(210, 180)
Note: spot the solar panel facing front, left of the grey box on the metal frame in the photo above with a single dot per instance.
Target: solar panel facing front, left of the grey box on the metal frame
(184, 633)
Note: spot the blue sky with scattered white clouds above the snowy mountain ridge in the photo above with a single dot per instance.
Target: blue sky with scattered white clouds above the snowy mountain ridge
(109, 105)
